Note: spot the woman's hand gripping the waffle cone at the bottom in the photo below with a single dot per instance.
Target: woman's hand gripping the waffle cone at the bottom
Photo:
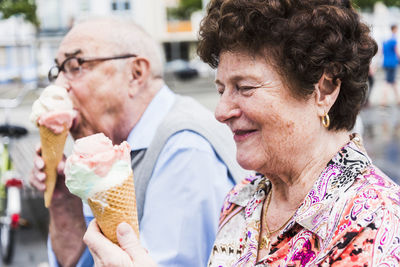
(106, 253)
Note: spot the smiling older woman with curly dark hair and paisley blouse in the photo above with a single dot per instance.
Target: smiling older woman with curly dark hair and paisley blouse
(292, 78)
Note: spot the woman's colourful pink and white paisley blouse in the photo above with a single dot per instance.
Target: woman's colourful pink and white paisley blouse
(351, 217)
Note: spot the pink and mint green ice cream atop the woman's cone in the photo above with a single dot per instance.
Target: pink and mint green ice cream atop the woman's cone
(96, 165)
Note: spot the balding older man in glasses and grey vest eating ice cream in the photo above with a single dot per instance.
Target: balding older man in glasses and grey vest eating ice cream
(182, 163)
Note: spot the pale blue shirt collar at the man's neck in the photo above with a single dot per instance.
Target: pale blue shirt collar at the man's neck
(142, 134)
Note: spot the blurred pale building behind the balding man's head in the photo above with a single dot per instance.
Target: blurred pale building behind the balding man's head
(27, 52)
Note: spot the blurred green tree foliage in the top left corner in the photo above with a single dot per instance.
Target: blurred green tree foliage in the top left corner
(26, 8)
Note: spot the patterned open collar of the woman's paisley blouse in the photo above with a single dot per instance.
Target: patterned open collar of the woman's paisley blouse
(339, 174)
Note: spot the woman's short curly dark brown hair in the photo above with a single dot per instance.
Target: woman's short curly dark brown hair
(304, 38)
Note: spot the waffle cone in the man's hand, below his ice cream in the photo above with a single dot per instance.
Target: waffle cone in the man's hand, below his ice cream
(52, 153)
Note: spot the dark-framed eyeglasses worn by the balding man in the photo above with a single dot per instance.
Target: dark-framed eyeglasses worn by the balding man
(72, 66)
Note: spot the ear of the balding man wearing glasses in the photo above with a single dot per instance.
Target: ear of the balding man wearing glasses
(140, 73)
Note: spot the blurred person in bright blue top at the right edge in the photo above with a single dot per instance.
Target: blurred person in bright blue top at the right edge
(390, 62)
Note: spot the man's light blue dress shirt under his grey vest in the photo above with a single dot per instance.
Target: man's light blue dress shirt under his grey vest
(184, 195)
